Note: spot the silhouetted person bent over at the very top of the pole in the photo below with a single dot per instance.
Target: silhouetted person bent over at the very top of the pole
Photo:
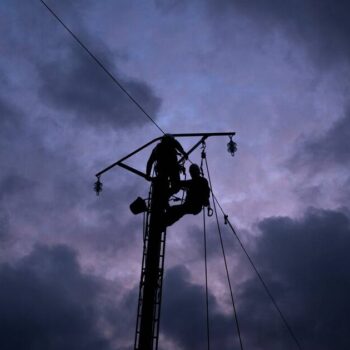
(164, 159)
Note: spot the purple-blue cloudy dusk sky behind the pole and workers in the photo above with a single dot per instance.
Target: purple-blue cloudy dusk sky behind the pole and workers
(275, 72)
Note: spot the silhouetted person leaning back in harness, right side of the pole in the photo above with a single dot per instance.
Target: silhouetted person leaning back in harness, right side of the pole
(198, 193)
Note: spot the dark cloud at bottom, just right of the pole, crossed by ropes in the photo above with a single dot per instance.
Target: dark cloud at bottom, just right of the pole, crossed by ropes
(184, 314)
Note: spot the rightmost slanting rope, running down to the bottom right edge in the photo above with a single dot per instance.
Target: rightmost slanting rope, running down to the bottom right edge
(284, 320)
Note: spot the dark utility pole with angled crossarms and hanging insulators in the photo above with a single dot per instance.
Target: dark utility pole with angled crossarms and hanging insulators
(150, 290)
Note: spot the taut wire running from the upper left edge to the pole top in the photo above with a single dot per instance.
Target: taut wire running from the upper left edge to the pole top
(114, 79)
